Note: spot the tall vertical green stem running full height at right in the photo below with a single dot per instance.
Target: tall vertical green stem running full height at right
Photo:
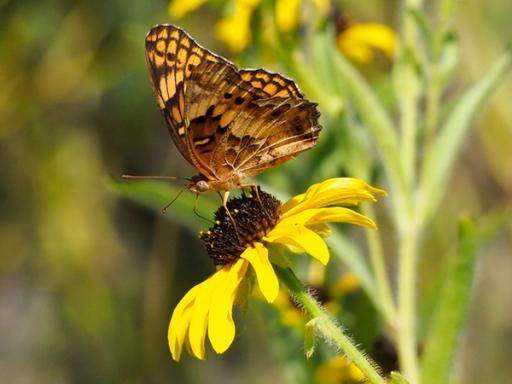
(408, 230)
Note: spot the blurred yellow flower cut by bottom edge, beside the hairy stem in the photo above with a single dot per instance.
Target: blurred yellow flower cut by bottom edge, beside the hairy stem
(338, 370)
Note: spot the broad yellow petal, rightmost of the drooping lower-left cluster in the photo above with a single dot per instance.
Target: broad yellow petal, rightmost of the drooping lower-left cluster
(221, 327)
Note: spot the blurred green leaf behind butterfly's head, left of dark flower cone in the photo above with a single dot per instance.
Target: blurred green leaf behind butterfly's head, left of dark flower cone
(156, 194)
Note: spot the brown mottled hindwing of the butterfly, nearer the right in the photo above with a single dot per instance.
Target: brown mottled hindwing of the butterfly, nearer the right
(242, 128)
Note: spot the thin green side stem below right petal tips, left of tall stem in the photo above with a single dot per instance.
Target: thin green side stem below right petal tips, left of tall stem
(383, 289)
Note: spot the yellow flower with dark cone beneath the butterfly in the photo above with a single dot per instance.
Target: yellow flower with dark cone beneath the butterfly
(239, 247)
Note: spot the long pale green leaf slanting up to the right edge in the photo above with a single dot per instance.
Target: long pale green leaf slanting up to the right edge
(441, 156)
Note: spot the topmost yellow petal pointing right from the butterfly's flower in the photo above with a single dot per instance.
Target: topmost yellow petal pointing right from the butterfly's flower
(335, 191)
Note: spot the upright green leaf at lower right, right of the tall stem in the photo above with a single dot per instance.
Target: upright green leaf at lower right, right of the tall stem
(451, 310)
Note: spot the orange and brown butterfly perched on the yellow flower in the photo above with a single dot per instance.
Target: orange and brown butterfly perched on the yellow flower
(229, 123)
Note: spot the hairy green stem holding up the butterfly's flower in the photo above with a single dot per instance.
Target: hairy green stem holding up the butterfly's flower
(327, 326)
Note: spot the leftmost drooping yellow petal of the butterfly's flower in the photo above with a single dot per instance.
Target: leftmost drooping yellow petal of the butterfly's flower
(180, 320)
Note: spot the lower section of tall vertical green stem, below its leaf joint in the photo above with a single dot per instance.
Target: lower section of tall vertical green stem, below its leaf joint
(406, 332)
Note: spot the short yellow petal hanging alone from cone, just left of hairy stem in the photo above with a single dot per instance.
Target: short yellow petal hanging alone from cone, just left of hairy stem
(267, 279)
